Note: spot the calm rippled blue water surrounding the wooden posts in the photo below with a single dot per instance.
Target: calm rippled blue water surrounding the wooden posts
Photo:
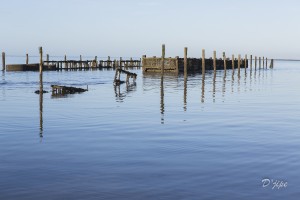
(170, 138)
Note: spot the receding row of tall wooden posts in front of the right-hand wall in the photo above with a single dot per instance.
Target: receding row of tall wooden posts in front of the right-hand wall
(262, 60)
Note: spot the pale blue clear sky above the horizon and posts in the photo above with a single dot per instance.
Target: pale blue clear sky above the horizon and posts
(132, 28)
